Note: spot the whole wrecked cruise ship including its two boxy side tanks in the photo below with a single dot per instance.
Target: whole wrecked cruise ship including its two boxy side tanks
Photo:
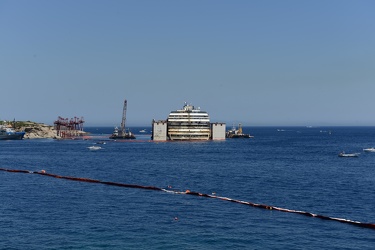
(187, 124)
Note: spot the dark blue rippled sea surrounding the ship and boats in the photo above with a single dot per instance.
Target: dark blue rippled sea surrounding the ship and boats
(290, 167)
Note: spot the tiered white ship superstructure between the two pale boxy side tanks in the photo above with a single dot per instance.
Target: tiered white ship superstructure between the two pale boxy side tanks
(188, 123)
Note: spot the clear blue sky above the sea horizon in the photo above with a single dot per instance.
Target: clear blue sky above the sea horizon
(266, 62)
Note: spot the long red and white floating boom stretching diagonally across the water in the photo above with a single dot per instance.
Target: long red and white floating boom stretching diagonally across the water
(188, 192)
